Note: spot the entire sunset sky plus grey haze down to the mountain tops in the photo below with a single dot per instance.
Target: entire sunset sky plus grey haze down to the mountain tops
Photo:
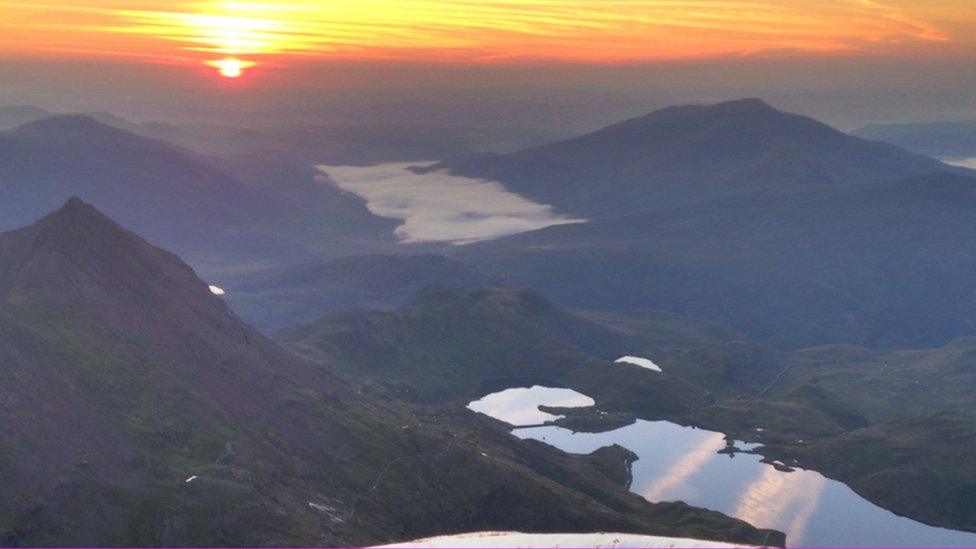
(555, 64)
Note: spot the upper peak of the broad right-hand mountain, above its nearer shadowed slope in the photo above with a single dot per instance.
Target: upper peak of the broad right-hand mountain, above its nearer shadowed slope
(683, 155)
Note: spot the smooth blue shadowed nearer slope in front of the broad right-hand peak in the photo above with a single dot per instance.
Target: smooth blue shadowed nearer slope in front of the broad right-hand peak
(889, 264)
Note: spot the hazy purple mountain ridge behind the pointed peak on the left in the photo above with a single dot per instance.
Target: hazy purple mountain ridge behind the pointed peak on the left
(263, 208)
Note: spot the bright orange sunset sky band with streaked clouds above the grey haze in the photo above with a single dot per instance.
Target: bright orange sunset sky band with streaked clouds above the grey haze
(480, 31)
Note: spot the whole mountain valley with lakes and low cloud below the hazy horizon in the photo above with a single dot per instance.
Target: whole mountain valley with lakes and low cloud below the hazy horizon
(658, 329)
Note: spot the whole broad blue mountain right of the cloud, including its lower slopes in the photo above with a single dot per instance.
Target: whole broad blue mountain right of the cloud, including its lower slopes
(791, 231)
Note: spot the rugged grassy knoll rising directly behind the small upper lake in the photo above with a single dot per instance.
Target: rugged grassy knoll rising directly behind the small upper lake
(455, 344)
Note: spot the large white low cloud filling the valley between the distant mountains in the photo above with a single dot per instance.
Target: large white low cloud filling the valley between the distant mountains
(440, 207)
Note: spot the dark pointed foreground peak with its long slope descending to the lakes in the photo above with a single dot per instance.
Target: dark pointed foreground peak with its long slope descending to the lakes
(136, 409)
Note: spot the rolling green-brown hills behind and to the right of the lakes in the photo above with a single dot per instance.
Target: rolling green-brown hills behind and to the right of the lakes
(843, 401)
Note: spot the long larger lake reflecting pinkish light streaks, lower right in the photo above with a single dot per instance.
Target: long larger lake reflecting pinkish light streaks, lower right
(682, 464)
